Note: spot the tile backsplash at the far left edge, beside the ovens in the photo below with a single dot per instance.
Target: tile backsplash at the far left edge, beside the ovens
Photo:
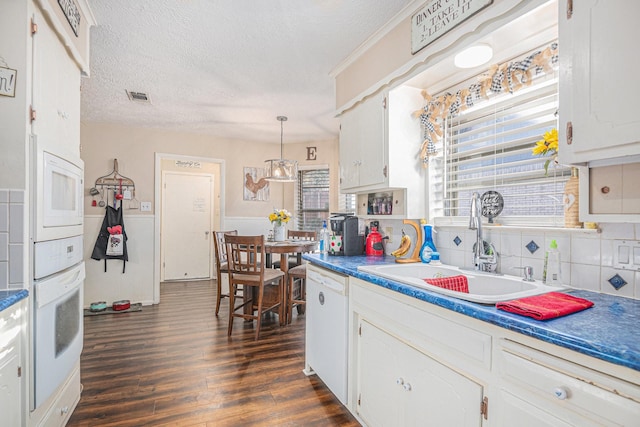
(12, 243)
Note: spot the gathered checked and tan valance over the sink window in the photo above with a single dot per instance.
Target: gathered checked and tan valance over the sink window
(507, 77)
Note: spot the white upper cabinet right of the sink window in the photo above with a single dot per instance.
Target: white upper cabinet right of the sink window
(599, 113)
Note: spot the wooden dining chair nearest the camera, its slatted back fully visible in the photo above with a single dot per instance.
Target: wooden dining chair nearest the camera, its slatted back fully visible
(249, 277)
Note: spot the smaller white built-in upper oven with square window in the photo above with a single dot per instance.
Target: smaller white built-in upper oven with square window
(58, 195)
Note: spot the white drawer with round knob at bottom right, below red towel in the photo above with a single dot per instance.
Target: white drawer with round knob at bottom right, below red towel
(566, 386)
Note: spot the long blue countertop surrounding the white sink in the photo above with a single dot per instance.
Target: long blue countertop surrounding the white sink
(608, 331)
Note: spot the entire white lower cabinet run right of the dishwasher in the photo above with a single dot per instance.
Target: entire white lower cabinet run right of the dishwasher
(412, 363)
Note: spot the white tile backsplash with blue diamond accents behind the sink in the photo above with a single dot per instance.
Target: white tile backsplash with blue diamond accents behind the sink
(587, 256)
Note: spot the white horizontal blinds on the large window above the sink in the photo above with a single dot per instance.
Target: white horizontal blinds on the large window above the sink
(488, 147)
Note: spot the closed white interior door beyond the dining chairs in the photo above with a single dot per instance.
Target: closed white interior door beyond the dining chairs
(187, 220)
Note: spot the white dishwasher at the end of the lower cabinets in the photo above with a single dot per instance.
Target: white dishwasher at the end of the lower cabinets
(327, 329)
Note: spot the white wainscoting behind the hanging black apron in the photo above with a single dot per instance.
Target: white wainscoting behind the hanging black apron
(136, 284)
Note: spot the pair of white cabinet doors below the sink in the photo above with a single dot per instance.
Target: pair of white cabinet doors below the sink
(400, 386)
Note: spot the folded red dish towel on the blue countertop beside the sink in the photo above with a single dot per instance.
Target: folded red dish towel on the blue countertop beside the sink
(547, 306)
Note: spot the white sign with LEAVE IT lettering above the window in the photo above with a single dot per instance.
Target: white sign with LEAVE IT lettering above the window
(438, 17)
